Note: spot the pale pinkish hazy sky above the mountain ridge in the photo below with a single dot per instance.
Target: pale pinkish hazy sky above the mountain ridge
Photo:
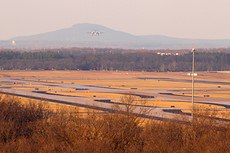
(178, 18)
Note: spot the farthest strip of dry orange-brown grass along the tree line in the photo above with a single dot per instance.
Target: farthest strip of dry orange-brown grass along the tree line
(219, 76)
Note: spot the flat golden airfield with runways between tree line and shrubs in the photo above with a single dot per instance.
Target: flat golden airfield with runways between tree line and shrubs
(164, 95)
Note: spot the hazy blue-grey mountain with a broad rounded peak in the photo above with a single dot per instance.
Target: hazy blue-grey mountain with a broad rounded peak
(79, 36)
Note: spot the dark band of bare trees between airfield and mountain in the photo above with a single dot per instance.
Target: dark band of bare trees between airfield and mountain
(106, 59)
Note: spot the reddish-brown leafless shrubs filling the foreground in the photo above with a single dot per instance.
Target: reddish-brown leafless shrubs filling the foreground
(33, 128)
